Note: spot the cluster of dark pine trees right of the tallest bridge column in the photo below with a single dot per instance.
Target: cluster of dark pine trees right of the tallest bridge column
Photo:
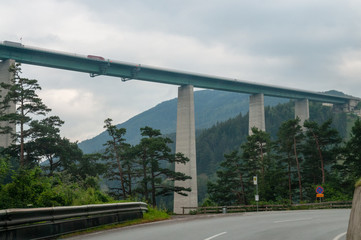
(290, 167)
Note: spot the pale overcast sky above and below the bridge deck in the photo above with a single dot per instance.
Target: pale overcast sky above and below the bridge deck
(311, 45)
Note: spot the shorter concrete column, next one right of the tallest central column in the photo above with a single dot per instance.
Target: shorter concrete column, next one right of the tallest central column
(256, 113)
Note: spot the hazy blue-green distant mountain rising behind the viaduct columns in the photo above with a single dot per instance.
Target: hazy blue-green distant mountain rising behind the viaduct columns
(211, 107)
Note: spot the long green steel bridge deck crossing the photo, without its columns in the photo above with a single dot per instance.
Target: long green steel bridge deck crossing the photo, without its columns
(95, 65)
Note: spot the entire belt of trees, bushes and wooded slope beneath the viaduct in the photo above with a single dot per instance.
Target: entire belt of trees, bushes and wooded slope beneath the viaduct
(40, 168)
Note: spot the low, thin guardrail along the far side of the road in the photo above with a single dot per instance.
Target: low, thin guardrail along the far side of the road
(275, 207)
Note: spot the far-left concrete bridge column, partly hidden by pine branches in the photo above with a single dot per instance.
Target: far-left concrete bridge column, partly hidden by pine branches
(5, 77)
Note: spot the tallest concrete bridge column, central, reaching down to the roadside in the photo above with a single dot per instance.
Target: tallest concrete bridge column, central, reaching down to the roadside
(186, 144)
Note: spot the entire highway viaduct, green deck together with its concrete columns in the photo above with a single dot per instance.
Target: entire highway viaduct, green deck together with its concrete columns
(11, 52)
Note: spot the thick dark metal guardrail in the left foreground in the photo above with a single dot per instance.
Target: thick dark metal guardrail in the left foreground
(43, 223)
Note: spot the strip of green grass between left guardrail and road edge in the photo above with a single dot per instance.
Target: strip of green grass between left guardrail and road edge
(153, 215)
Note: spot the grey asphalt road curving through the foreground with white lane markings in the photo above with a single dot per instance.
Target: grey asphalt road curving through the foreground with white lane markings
(307, 224)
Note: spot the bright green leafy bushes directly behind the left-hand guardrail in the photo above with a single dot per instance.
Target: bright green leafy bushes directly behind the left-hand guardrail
(30, 188)
